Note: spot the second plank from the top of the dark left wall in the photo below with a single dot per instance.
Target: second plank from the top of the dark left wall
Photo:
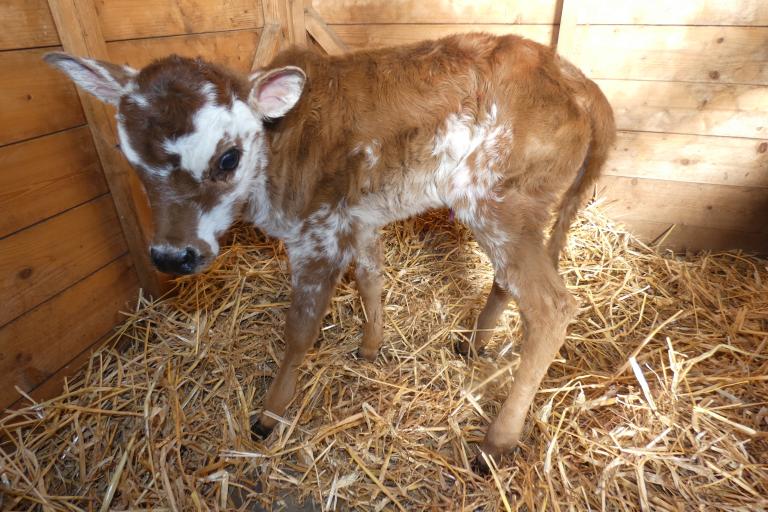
(35, 99)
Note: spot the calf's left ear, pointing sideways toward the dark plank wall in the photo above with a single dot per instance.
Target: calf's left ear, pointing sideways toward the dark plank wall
(106, 81)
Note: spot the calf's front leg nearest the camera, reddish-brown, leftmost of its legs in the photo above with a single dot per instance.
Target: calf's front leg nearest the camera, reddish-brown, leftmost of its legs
(313, 283)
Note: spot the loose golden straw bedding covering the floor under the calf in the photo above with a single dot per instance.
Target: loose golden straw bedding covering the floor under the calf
(658, 400)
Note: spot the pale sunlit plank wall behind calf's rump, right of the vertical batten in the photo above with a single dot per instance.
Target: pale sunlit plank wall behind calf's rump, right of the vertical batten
(688, 82)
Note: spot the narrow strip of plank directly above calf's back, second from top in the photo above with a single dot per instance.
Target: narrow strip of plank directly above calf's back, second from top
(373, 36)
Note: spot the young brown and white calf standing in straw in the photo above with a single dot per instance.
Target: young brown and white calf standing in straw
(322, 151)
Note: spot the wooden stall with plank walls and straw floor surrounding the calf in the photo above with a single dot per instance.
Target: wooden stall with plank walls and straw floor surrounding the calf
(126, 391)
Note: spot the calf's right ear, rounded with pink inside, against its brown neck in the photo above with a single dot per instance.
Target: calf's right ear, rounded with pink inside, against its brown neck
(275, 92)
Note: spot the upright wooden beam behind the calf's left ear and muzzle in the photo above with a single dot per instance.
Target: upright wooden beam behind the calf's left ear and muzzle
(78, 27)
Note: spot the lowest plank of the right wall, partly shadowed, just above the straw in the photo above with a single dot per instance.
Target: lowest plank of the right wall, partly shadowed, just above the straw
(696, 238)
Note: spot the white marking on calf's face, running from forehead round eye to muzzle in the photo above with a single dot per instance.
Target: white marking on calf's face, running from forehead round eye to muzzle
(215, 123)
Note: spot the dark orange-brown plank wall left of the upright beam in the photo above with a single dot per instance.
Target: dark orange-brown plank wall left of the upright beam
(65, 272)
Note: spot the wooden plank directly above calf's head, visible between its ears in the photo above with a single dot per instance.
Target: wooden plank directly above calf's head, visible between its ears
(233, 49)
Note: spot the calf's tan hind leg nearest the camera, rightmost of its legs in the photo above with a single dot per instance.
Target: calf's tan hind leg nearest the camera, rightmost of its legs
(546, 308)
